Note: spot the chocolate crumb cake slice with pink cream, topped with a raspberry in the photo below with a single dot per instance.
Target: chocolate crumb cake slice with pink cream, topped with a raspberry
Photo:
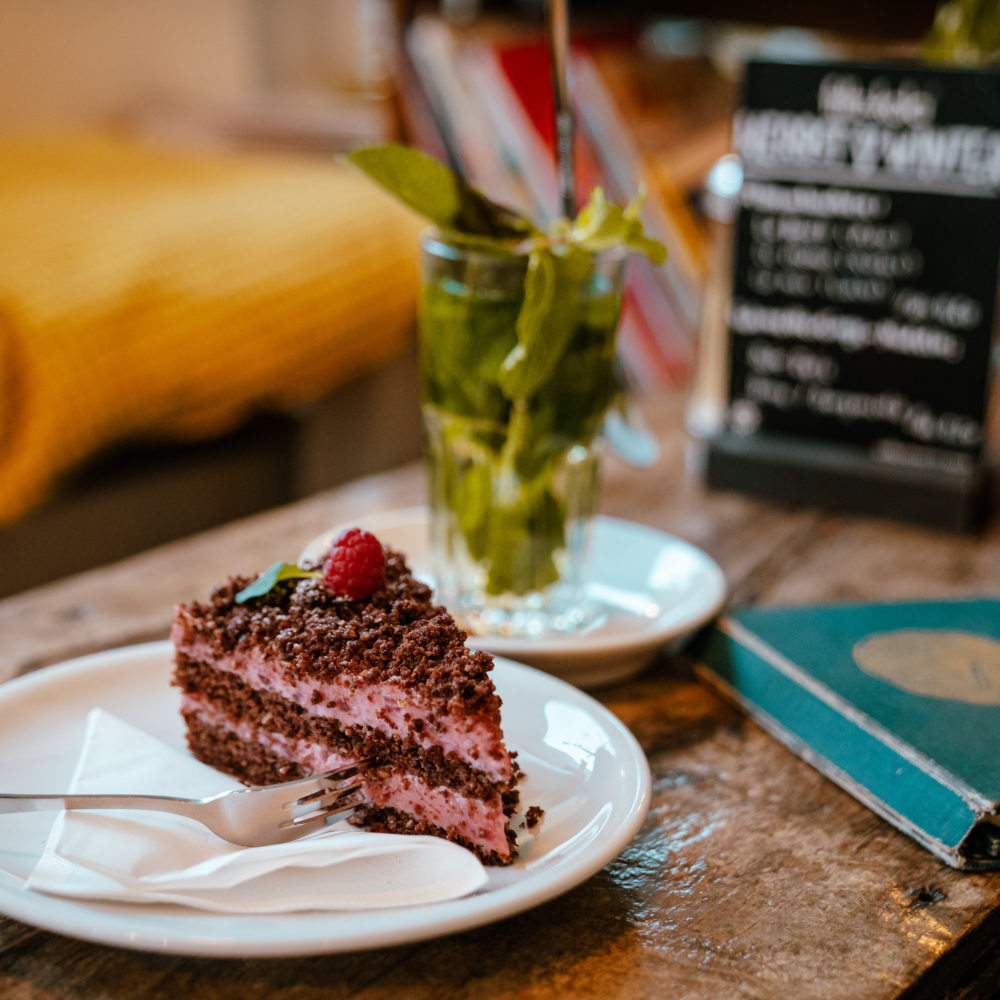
(308, 668)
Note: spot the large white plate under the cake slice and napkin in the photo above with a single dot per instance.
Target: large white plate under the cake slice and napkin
(584, 768)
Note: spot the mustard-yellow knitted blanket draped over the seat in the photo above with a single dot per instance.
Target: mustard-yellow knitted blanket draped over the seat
(148, 294)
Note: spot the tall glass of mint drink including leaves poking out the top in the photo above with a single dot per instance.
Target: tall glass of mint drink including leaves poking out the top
(517, 357)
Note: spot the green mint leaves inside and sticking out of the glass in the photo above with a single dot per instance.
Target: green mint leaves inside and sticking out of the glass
(514, 375)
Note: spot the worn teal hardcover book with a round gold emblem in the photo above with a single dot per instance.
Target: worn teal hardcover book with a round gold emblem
(897, 703)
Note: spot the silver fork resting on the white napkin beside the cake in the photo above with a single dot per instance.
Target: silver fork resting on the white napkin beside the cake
(251, 817)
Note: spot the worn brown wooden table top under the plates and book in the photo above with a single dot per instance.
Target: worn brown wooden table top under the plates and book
(753, 876)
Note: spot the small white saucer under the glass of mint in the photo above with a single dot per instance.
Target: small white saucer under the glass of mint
(654, 589)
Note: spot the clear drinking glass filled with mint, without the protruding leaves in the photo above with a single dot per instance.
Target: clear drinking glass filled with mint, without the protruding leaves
(513, 482)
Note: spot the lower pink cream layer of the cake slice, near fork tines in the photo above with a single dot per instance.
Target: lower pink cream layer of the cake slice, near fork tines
(477, 820)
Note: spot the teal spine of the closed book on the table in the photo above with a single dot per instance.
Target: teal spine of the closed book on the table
(896, 784)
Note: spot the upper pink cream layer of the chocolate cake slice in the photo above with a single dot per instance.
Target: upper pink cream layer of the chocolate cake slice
(386, 707)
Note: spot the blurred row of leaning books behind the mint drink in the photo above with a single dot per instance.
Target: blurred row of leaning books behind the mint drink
(645, 120)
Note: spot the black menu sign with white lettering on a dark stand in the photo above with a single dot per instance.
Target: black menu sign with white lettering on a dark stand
(867, 246)
